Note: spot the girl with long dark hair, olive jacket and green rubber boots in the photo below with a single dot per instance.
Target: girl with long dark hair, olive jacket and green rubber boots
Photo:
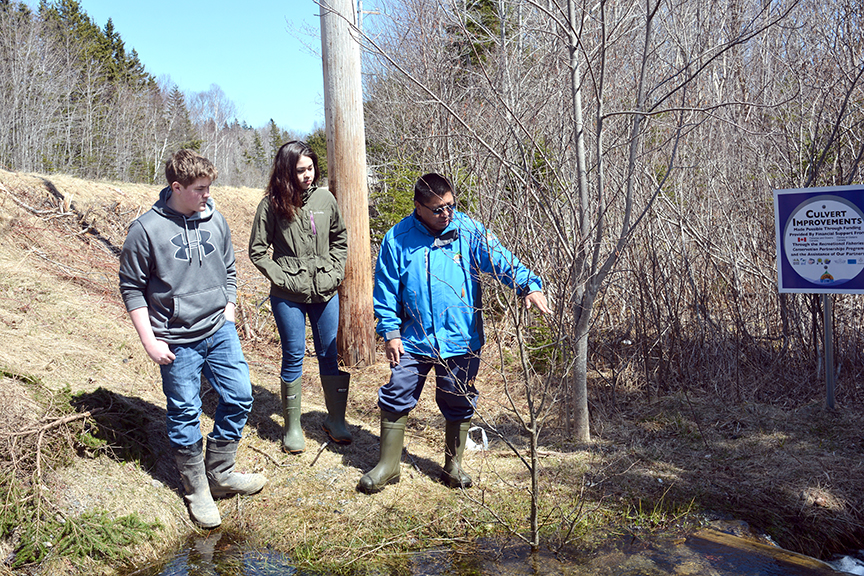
(302, 224)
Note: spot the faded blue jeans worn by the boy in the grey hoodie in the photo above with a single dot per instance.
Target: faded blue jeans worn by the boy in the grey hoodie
(221, 360)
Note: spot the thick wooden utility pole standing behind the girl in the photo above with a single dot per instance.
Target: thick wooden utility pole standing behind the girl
(346, 164)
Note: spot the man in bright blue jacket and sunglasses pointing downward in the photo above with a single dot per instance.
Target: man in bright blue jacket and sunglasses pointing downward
(428, 304)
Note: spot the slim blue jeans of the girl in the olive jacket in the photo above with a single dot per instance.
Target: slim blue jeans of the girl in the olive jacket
(291, 322)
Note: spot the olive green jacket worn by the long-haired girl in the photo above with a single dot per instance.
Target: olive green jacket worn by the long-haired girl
(309, 252)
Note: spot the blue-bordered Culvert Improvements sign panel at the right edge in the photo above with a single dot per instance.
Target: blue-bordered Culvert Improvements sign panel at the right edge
(820, 239)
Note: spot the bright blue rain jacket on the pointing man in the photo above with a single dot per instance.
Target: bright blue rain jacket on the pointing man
(427, 288)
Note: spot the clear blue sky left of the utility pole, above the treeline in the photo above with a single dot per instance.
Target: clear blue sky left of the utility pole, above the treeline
(259, 52)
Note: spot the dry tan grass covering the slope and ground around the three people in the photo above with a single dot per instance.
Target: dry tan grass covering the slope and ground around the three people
(793, 473)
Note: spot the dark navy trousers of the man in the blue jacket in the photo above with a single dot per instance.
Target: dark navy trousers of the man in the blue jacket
(455, 393)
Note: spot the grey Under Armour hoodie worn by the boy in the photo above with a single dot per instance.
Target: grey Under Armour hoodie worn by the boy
(181, 268)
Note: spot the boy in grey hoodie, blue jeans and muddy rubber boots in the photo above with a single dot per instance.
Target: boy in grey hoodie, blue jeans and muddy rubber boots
(179, 285)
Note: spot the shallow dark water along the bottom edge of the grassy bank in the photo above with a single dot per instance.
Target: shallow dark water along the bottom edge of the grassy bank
(709, 552)
